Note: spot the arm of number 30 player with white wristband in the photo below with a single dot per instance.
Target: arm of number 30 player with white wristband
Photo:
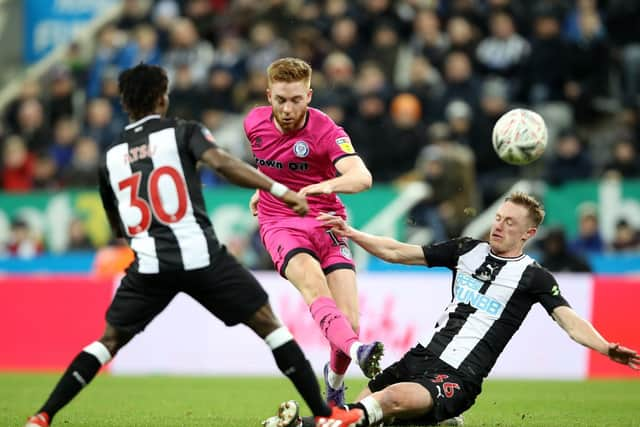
(242, 174)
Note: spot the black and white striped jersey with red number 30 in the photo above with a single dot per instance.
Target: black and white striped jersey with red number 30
(151, 192)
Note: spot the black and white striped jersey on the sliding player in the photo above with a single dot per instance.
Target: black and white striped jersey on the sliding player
(491, 296)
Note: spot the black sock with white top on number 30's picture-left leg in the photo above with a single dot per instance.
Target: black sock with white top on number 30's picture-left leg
(79, 373)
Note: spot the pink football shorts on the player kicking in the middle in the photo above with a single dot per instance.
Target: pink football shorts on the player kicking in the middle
(287, 237)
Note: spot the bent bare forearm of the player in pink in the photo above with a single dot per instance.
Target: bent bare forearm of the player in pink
(354, 178)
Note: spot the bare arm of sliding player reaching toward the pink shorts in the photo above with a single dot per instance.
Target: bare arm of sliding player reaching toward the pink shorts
(385, 248)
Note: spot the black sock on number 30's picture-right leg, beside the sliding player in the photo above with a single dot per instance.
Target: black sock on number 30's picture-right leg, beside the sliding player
(292, 362)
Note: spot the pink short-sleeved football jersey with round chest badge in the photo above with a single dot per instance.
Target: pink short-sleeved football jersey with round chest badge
(297, 159)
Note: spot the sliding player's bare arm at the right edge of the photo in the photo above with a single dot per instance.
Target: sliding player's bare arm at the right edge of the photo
(583, 332)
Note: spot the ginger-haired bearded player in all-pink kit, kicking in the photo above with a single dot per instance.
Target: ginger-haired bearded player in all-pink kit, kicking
(305, 150)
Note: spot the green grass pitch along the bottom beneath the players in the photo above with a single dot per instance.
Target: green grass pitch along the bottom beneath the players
(239, 402)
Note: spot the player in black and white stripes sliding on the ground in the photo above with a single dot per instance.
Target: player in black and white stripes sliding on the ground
(494, 286)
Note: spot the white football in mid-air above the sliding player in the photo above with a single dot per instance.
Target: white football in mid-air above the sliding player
(520, 136)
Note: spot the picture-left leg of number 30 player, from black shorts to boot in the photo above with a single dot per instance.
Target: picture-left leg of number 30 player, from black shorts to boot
(133, 307)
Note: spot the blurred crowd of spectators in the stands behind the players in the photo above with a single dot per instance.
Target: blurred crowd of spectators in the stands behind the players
(418, 84)
